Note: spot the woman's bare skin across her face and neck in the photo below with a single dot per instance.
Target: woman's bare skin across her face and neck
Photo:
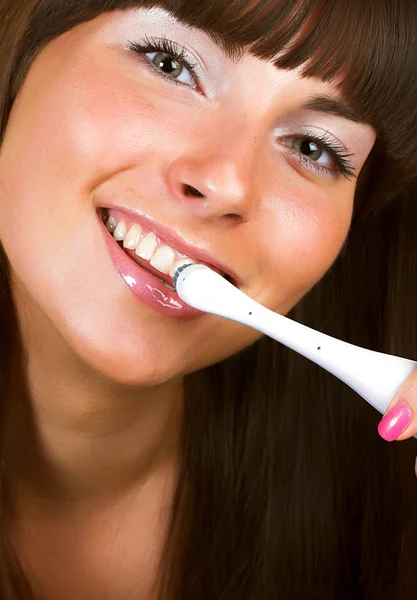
(104, 373)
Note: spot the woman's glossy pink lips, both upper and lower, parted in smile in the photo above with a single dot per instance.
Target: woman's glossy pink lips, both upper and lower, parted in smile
(146, 286)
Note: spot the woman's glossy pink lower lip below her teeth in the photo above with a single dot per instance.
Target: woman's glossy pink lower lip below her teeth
(146, 286)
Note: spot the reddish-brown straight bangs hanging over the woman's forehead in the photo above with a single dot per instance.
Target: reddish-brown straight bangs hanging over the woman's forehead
(366, 47)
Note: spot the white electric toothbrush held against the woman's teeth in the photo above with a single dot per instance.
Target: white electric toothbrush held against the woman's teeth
(373, 375)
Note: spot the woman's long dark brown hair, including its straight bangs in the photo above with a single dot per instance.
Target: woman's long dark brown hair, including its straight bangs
(286, 491)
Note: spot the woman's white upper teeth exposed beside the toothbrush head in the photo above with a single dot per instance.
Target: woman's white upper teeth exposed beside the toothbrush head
(146, 245)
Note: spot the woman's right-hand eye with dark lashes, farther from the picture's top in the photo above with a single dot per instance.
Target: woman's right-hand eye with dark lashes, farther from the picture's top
(322, 154)
